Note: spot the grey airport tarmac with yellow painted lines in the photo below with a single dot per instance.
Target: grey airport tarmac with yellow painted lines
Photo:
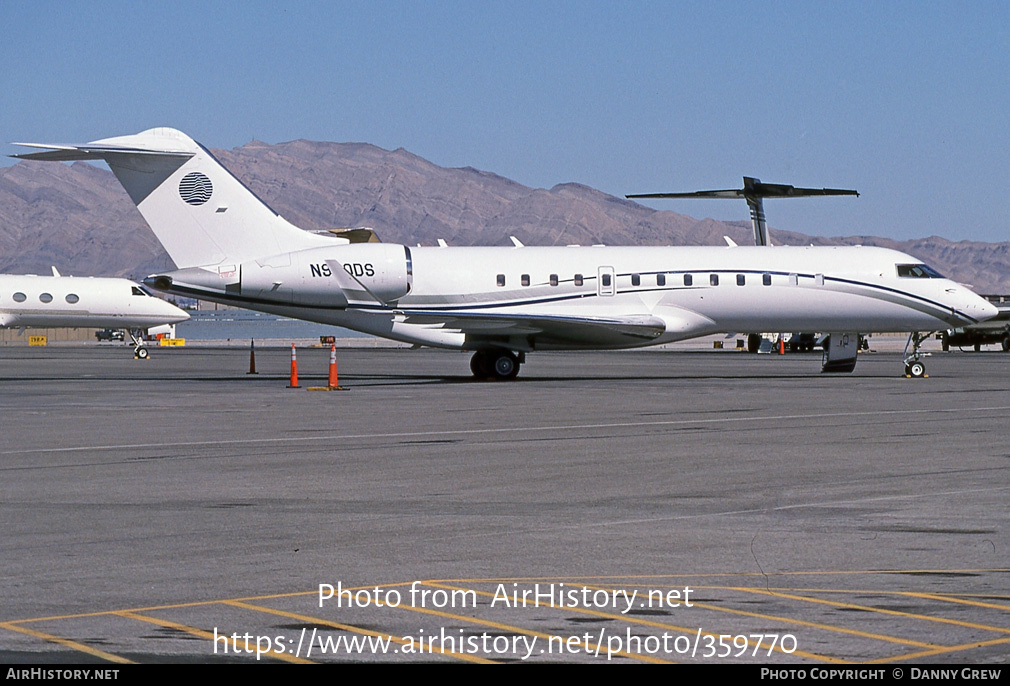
(152, 507)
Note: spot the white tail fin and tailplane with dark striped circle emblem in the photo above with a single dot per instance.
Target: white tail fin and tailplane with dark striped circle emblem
(201, 214)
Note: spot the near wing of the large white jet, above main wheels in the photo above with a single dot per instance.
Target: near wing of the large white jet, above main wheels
(553, 329)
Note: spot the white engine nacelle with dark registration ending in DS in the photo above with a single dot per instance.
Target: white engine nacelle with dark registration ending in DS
(372, 272)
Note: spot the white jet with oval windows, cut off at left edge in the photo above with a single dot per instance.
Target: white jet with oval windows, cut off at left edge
(57, 302)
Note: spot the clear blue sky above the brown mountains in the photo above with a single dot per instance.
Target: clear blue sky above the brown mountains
(906, 103)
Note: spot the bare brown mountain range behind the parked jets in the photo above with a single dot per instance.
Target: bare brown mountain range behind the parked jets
(79, 219)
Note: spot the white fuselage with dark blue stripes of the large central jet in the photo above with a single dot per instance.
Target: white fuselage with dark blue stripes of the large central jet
(472, 298)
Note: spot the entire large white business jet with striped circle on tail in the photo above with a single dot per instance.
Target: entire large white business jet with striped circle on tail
(504, 303)
